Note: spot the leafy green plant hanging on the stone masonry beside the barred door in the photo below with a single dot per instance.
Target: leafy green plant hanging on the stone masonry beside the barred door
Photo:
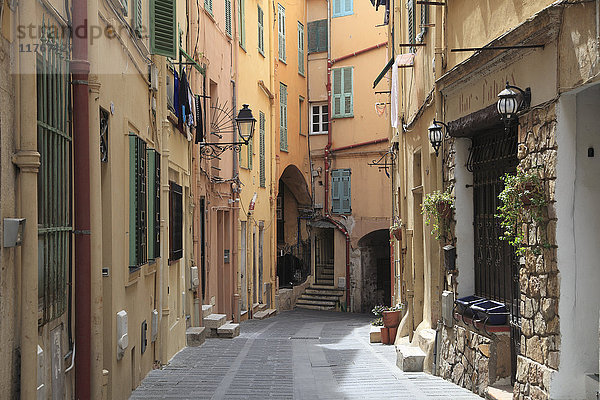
(523, 200)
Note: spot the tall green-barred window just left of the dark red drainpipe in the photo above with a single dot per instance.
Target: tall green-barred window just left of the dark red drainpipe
(54, 143)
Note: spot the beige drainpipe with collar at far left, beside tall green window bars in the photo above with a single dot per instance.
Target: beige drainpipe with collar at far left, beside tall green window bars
(27, 159)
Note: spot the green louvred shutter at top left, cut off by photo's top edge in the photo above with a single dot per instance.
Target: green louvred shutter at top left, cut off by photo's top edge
(162, 28)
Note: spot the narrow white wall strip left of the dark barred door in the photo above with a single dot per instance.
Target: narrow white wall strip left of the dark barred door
(464, 221)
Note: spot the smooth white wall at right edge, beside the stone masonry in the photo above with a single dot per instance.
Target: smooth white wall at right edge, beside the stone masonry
(578, 239)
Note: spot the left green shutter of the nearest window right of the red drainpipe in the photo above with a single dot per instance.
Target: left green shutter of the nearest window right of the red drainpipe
(138, 221)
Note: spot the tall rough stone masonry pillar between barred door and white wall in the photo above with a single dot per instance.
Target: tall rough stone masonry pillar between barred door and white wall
(539, 276)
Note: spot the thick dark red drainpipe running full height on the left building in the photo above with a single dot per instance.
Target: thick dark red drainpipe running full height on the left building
(80, 68)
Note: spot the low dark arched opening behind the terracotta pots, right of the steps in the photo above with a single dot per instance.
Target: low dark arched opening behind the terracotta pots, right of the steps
(376, 276)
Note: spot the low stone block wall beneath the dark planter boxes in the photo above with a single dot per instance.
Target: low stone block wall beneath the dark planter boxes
(474, 360)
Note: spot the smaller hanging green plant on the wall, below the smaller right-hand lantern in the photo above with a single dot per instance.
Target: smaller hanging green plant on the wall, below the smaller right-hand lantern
(437, 208)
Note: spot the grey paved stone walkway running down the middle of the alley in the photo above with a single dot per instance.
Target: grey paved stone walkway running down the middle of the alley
(295, 355)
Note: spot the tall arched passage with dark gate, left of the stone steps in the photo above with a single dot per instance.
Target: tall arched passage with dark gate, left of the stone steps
(293, 239)
